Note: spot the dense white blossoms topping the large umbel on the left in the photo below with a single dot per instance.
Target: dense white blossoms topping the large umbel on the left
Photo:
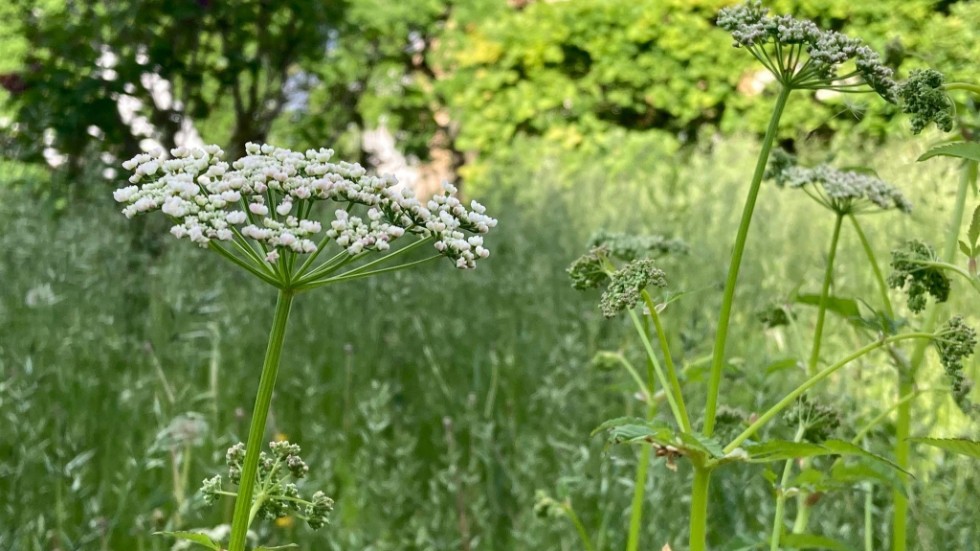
(267, 197)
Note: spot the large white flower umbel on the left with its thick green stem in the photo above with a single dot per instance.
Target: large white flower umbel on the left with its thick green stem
(263, 211)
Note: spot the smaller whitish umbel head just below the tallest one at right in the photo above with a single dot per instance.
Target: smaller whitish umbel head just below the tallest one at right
(842, 191)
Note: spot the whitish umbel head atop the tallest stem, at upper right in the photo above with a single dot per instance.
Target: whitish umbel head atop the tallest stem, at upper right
(801, 55)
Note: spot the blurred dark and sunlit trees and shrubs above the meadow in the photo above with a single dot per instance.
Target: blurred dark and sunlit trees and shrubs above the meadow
(455, 80)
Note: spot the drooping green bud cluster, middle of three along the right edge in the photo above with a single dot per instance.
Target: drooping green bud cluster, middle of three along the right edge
(911, 269)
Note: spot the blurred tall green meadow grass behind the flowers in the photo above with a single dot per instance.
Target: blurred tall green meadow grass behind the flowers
(432, 404)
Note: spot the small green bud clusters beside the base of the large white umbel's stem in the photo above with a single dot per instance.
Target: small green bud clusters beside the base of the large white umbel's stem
(280, 496)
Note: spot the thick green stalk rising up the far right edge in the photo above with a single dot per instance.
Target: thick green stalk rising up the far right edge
(906, 380)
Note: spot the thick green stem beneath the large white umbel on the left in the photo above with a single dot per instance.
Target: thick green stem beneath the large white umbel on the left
(256, 432)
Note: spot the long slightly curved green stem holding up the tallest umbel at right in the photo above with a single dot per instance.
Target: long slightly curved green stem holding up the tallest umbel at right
(724, 317)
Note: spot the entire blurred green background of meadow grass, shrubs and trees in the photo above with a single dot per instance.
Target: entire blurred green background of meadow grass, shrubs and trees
(431, 404)
